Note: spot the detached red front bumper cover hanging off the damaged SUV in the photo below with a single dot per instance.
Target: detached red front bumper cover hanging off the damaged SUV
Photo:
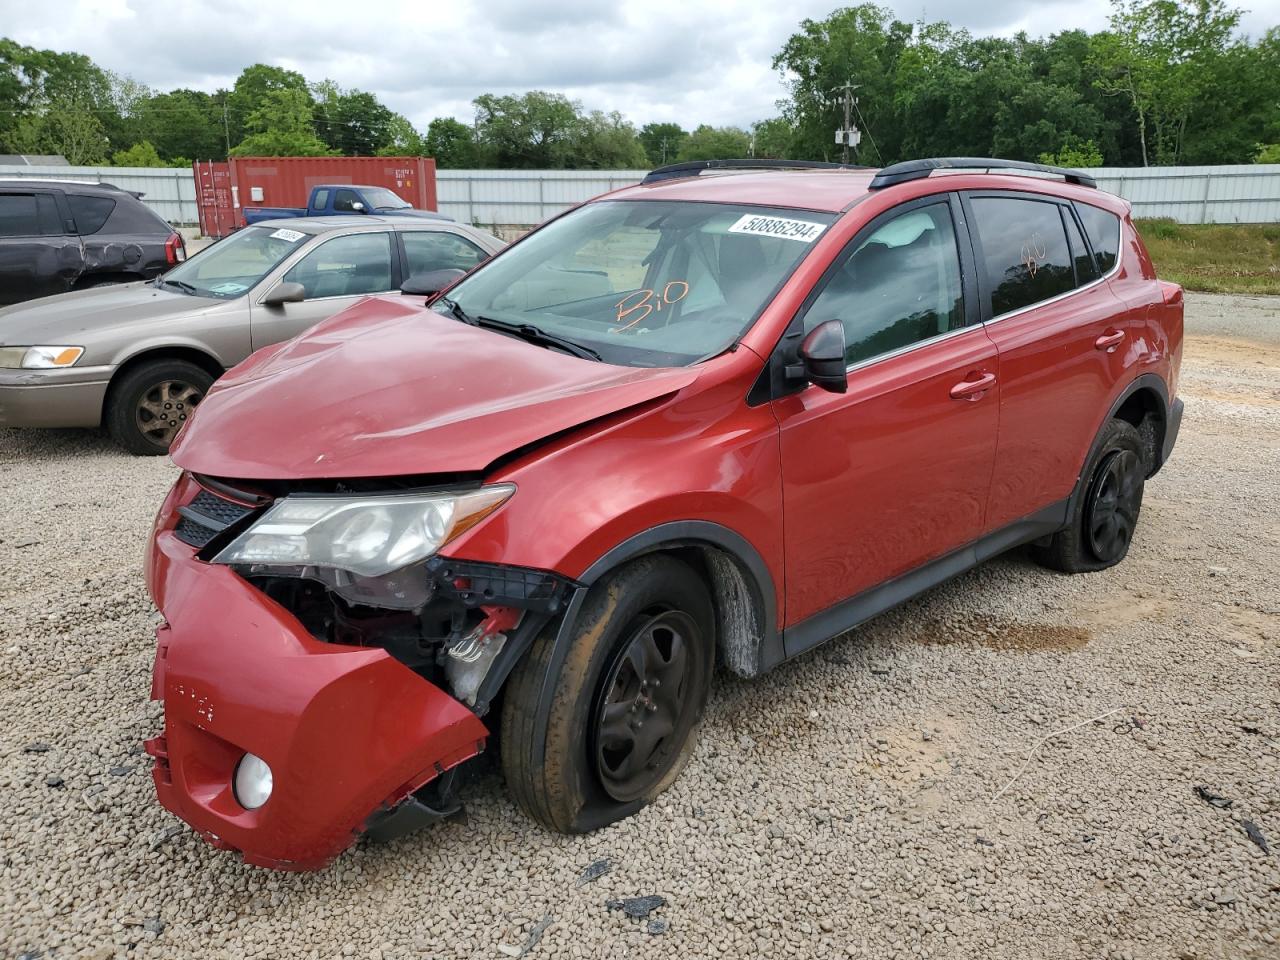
(348, 732)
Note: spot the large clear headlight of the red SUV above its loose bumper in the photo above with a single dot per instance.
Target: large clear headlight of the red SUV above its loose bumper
(365, 536)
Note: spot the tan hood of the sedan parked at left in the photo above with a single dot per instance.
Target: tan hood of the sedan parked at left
(63, 318)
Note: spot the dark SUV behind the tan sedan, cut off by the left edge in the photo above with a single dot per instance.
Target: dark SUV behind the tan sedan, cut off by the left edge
(58, 236)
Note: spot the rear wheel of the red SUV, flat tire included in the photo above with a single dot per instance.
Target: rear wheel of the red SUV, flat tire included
(1105, 515)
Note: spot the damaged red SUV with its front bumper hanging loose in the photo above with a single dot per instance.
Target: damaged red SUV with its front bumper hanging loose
(707, 418)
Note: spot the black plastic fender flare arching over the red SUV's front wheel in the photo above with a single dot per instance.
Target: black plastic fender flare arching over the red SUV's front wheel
(682, 533)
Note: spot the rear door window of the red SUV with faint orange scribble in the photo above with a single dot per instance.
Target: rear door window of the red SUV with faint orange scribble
(1025, 252)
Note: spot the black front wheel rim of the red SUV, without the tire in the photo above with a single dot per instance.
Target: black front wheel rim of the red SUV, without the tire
(644, 715)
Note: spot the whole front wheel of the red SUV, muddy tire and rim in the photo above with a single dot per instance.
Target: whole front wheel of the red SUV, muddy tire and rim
(632, 628)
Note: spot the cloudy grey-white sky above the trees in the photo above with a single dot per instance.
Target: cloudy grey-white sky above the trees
(691, 61)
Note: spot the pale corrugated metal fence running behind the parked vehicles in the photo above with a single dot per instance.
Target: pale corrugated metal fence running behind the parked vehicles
(525, 198)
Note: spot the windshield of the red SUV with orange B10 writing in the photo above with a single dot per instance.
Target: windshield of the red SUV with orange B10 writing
(644, 284)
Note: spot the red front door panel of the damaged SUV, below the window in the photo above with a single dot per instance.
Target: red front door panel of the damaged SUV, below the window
(888, 477)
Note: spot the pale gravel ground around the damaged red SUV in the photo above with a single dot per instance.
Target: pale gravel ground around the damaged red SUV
(840, 807)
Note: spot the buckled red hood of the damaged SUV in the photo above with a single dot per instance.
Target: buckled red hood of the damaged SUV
(390, 388)
